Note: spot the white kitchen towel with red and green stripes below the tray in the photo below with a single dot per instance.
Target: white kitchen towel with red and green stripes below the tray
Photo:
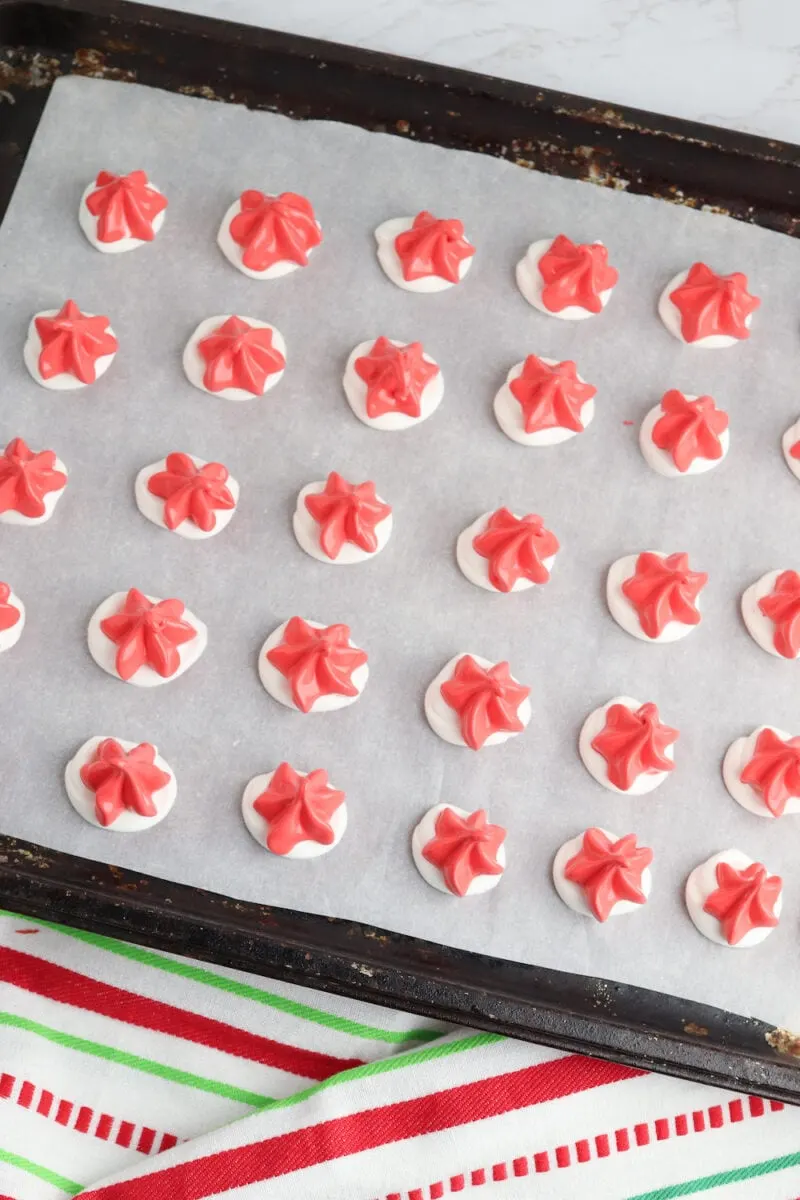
(129, 1075)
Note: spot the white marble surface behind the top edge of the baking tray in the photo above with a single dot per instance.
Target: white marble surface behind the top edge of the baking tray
(731, 63)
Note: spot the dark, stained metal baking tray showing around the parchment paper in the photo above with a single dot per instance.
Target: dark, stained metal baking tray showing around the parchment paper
(749, 178)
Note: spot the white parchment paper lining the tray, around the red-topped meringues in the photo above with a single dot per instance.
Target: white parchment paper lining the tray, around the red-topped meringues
(411, 608)
